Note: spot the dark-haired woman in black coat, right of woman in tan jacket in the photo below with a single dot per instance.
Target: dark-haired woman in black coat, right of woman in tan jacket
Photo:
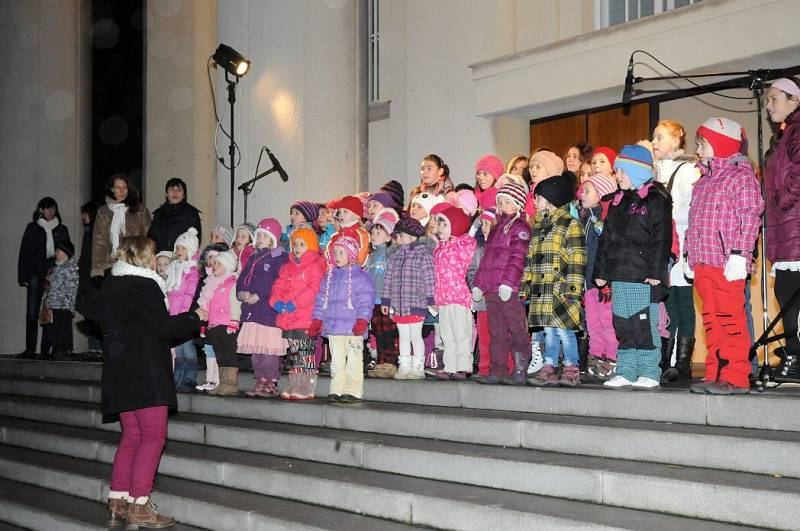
(173, 217)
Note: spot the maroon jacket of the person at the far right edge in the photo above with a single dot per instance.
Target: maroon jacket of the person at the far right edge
(782, 182)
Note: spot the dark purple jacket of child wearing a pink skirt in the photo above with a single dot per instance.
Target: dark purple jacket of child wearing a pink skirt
(257, 277)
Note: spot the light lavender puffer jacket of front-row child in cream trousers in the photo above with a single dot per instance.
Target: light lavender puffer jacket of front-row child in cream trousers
(331, 307)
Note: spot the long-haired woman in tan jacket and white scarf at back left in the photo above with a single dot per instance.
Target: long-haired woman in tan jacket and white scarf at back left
(121, 215)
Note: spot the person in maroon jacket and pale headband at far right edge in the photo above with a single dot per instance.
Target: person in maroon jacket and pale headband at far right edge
(782, 183)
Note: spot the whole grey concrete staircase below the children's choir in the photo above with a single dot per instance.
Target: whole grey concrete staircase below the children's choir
(448, 455)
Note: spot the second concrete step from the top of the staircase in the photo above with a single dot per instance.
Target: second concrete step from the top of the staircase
(718, 448)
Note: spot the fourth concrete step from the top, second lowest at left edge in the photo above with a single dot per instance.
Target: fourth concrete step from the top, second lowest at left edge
(195, 503)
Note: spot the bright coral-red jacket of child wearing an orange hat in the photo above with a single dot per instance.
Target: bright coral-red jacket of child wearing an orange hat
(298, 282)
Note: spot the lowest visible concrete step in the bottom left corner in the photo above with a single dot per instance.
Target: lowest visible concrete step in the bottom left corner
(29, 507)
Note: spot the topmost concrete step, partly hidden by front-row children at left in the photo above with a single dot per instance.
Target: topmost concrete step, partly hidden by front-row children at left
(774, 410)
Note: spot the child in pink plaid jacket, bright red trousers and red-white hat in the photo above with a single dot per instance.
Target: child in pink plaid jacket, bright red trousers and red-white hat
(724, 221)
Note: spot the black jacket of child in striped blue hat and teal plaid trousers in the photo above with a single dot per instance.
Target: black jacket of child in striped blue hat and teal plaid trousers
(637, 238)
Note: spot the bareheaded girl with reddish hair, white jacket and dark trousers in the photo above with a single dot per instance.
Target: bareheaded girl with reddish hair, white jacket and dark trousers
(677, 173)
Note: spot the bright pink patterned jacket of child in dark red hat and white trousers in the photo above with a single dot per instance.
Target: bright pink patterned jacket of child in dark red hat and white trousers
(451, 259)
